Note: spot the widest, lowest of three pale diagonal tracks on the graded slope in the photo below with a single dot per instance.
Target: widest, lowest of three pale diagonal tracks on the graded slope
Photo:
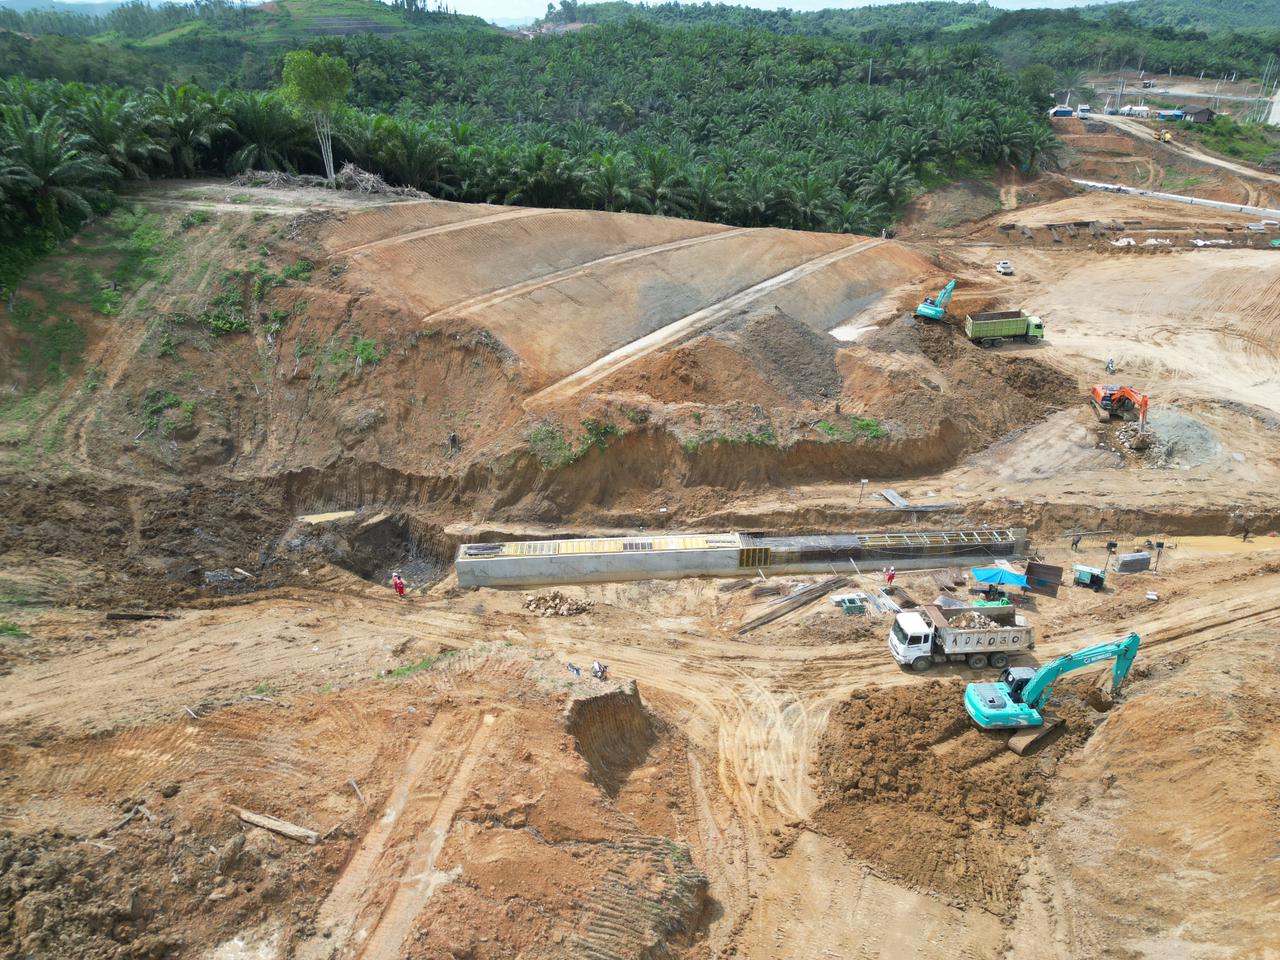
(665, 336)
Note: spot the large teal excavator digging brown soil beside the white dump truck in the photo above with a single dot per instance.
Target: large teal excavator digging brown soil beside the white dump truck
(1017, 700)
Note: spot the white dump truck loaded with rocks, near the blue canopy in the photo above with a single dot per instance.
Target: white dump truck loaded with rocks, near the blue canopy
(973, 636)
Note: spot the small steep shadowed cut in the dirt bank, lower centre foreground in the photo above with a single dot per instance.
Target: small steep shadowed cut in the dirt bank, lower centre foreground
(612, 732)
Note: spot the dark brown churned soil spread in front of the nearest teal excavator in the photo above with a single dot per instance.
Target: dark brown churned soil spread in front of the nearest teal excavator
(911, 787)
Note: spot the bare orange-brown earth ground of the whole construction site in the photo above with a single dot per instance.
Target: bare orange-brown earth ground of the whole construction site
(225, 737)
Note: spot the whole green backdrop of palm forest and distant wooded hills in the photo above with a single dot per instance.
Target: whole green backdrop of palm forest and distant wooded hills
(725, 122)
